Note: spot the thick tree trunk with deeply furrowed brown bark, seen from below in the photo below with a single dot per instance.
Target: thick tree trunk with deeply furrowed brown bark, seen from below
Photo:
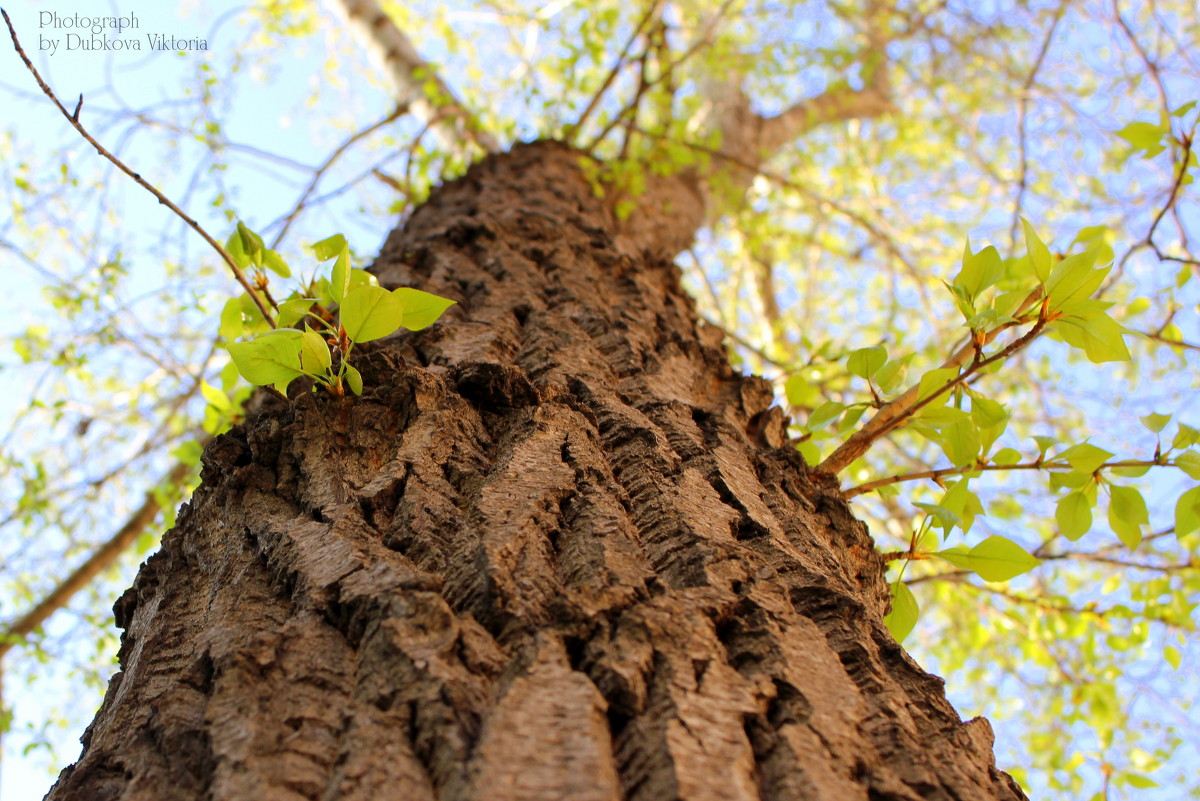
(557, 551)
